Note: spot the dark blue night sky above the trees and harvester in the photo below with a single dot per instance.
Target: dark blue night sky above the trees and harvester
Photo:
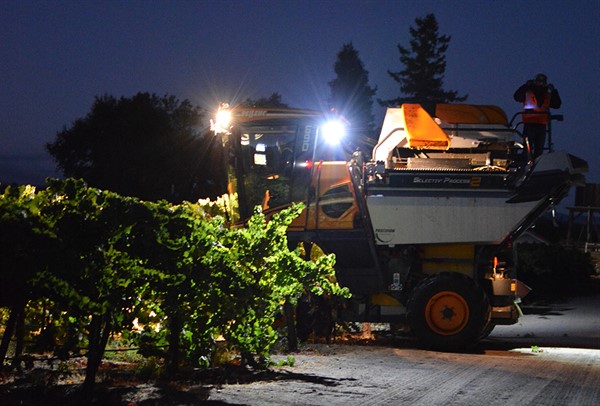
(55, 56)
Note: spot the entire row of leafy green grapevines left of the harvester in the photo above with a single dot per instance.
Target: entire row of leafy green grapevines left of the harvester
(157, 275)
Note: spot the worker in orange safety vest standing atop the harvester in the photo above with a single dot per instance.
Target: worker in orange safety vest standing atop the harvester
(538, 97)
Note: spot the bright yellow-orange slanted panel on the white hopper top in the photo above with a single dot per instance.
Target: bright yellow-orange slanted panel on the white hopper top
(422, 131)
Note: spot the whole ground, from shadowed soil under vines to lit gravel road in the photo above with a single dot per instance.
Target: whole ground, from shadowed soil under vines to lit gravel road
(551, 357)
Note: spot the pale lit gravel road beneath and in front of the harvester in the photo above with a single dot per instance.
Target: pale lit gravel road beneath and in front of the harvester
(551, 357)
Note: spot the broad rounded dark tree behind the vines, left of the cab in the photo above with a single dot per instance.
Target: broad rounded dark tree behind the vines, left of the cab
(145, 146)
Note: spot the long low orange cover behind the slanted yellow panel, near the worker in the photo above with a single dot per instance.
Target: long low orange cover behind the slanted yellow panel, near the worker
(471, 114)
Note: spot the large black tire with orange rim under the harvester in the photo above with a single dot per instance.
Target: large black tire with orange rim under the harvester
(448, 312)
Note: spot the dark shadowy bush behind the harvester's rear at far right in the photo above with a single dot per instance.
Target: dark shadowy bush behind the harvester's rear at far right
(554, 270)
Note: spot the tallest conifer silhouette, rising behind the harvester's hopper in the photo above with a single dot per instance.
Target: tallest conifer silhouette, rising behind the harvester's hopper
(425, 64)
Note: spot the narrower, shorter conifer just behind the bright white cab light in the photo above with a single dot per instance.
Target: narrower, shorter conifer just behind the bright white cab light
(351, 95)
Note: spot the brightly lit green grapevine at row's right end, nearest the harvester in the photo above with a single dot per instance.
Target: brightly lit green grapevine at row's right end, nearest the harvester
(257, 273)
